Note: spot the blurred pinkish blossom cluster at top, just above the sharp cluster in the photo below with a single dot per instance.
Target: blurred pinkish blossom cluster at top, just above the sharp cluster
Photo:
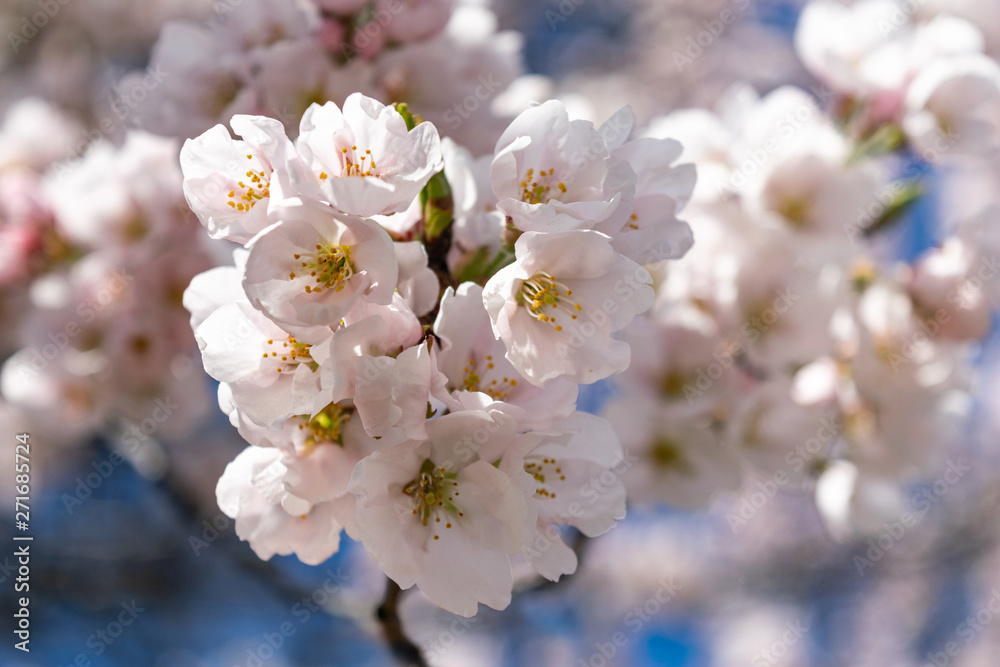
(275, 58)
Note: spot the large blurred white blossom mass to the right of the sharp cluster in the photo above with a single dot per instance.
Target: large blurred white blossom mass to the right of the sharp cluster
(789, 343)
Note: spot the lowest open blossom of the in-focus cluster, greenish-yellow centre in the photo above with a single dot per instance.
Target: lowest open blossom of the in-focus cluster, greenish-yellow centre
(436, 514)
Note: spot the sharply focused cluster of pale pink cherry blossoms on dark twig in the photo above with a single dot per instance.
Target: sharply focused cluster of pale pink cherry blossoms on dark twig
(402, 336)
